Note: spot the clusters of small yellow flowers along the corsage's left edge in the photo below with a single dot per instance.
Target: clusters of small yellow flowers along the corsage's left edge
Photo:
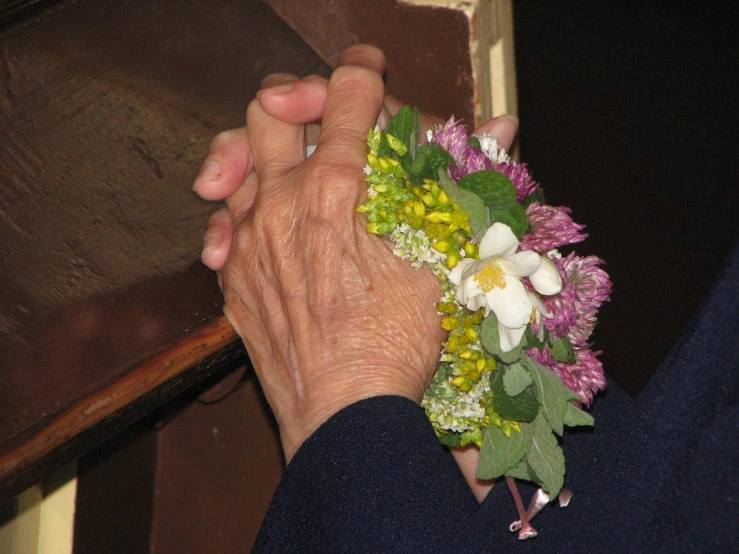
(459, 399)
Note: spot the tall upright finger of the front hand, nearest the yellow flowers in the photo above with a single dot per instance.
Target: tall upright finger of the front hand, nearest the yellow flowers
(353, 104)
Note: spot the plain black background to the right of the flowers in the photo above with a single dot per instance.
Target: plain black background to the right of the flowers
(628, 115)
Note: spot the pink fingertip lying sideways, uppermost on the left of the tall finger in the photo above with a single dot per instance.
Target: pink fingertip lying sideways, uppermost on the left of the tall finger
(298, 101)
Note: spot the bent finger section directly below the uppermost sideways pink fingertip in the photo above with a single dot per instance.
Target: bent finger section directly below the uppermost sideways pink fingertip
(277, 145)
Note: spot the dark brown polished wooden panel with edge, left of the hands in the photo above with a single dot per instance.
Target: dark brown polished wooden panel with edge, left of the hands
(106, 112)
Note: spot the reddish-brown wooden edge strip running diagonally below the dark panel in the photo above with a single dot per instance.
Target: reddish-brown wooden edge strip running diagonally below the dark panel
(119, 403)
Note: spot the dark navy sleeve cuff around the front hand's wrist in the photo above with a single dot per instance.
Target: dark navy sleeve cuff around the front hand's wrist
(373, 478)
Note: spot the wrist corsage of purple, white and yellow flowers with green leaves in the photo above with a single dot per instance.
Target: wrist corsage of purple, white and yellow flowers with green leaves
(517, 365)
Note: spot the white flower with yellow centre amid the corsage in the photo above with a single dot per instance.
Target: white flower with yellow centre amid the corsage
(494, 282)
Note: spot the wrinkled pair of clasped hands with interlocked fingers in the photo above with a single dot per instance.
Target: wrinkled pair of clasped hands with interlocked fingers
(328, 314)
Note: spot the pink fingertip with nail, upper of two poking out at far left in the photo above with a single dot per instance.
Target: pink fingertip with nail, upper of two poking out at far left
(226, 166)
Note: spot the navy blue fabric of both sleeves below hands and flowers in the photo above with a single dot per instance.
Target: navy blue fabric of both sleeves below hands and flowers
(658, 474)
